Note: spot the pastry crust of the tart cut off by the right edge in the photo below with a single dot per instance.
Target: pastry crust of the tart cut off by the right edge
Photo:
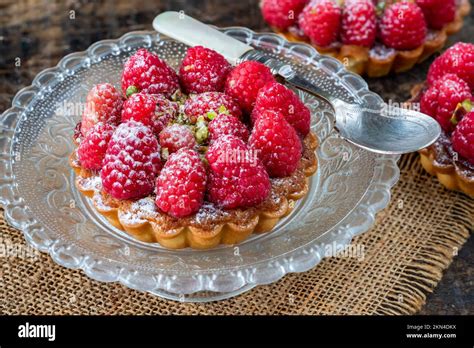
(439, 161)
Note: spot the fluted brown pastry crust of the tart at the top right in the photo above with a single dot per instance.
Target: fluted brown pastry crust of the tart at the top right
(365, 61)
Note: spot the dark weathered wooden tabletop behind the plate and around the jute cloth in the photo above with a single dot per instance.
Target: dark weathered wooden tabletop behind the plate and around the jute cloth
(40, 32)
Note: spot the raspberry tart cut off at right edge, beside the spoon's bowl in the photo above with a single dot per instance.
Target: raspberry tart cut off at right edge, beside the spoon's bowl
(447, 96)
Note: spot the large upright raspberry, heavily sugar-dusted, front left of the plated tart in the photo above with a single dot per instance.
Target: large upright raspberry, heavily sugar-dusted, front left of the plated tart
(131, 162)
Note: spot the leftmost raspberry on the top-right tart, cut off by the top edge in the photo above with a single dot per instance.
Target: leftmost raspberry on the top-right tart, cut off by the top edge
(282, 13)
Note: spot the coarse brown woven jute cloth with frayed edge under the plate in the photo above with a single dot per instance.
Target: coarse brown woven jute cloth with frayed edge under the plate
(403, 258)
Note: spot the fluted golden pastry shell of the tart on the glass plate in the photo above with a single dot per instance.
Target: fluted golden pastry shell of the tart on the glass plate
(236, 230)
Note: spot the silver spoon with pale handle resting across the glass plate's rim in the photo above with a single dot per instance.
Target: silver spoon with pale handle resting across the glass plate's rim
(376, 128)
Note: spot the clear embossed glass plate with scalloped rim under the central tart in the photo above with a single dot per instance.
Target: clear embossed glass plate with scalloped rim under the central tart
(39, 196)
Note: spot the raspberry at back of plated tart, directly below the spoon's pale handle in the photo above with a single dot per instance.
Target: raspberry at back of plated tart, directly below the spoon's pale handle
(203, 70)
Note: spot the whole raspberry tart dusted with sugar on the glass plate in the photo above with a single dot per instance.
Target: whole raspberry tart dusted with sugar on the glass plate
(198, 158)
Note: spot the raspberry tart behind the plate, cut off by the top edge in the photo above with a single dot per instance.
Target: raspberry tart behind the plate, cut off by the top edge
(372, 37)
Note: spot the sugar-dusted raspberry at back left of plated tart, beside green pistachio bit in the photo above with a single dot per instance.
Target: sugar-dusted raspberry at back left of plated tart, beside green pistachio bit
(146, 72)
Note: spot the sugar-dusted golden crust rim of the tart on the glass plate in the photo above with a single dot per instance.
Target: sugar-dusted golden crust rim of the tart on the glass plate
(211, 226)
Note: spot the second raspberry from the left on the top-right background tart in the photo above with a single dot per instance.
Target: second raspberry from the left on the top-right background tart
(321, 22)
